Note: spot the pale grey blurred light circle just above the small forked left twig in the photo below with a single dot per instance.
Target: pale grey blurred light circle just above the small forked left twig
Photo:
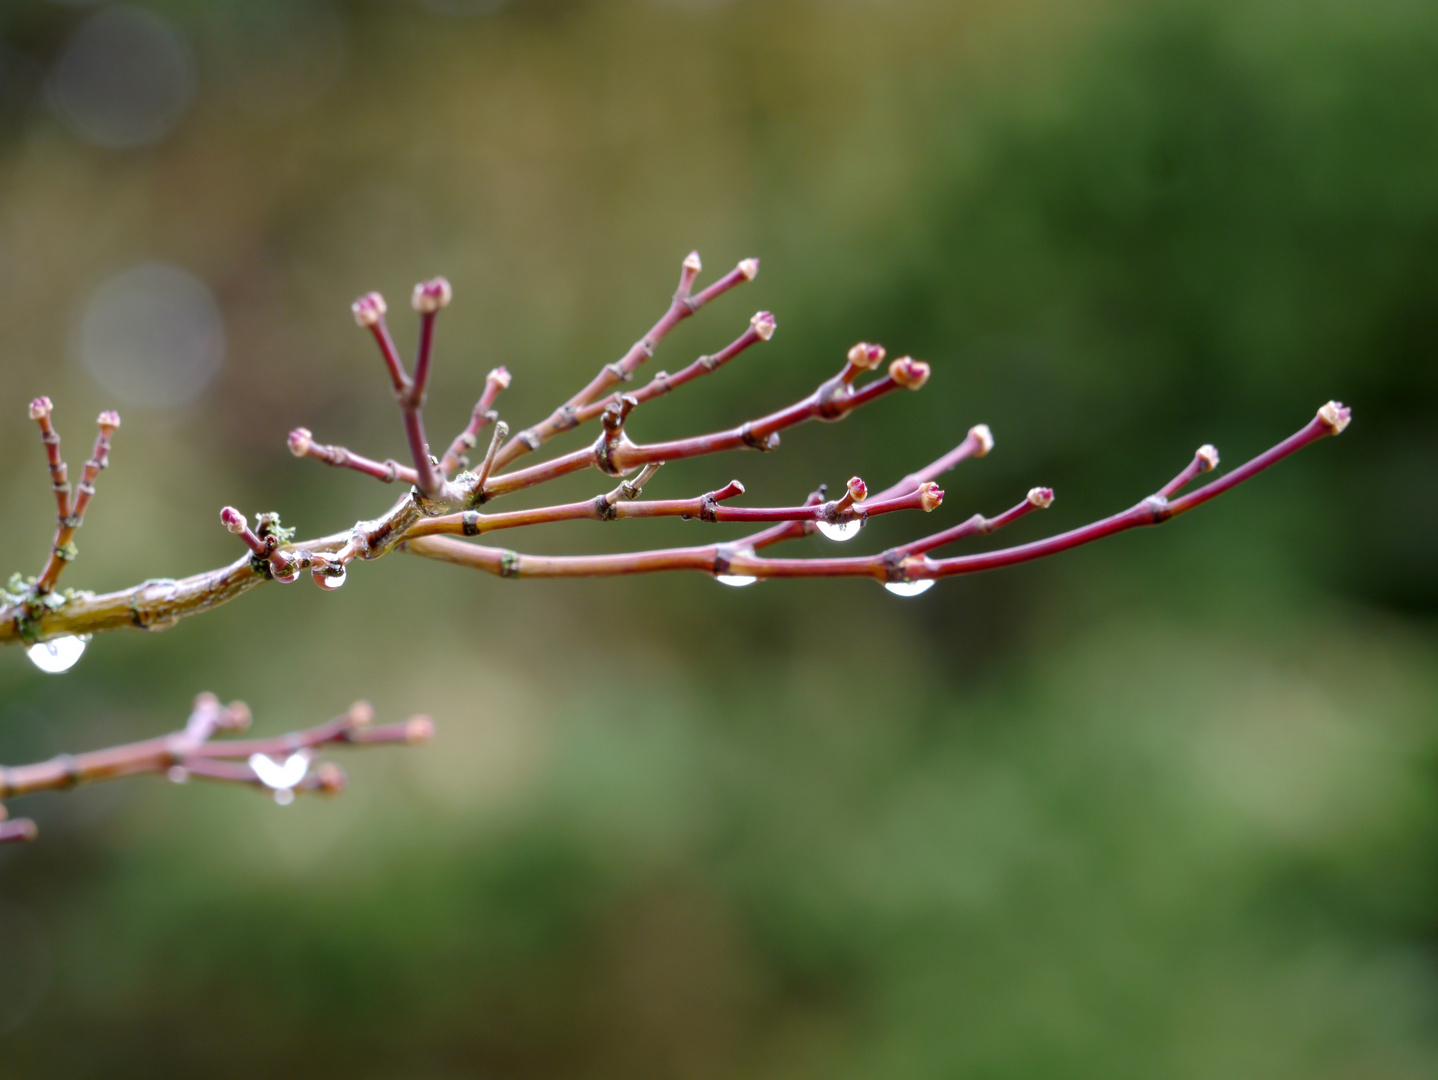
(153, 337)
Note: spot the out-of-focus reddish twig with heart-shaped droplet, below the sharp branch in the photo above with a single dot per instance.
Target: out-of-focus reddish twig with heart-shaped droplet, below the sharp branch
(196, 753)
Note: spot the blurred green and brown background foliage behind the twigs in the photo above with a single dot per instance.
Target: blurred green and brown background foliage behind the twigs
(1161, 807)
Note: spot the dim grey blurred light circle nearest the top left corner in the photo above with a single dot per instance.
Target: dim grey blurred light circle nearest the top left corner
(124, 80)
